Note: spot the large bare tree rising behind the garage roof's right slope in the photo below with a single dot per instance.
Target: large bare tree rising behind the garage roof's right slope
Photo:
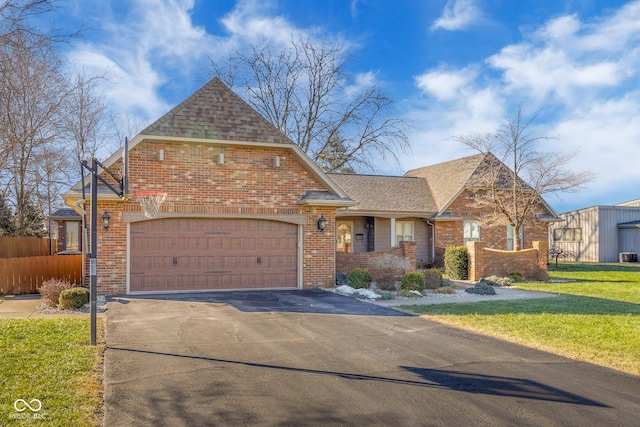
(303, 89)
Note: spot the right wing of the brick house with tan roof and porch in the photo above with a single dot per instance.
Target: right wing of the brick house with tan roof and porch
(433, 206)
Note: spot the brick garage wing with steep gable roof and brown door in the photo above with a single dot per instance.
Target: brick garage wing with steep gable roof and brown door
(242, 208)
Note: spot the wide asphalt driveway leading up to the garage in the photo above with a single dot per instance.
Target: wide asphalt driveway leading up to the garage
(310, 357)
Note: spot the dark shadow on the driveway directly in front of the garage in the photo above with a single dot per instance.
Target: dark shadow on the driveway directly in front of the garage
(316, 301)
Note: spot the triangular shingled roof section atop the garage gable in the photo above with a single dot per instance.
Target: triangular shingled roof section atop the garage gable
(216, 112)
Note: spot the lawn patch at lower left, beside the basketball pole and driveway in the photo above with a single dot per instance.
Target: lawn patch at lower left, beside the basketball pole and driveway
(49, 360)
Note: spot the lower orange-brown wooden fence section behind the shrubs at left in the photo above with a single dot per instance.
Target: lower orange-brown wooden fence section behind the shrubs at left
(25, 275)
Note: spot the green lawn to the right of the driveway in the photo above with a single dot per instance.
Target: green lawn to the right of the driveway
(595, 318)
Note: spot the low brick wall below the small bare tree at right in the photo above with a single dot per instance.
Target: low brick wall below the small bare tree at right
(485, 261)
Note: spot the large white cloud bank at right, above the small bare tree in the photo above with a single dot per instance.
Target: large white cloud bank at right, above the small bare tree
(585, 74)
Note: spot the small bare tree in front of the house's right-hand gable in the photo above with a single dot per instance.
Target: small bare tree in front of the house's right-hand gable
(514, 176)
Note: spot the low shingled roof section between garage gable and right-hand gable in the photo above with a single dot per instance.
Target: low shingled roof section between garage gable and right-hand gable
(387, 194)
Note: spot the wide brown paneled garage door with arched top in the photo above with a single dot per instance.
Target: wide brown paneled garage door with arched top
(198, 254)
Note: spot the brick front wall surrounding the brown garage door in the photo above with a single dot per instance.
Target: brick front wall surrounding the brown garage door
(197, 185)
